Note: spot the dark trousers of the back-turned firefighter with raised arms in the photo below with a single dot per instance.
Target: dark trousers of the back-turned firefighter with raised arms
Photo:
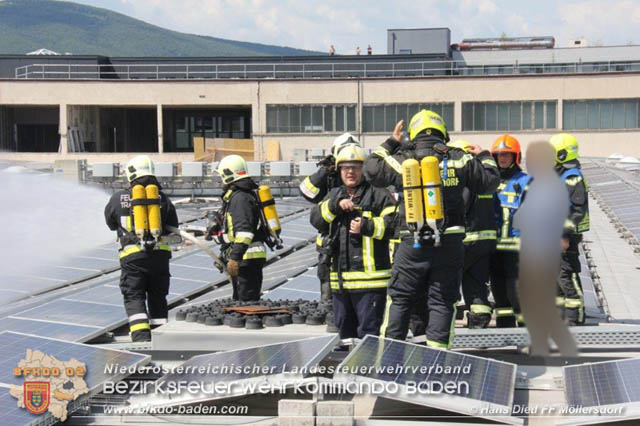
(426, 271)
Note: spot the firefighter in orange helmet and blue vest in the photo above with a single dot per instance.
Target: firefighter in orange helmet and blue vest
(504, 261)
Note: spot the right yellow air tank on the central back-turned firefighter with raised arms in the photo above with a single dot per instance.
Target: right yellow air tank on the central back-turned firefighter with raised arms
(432, 194)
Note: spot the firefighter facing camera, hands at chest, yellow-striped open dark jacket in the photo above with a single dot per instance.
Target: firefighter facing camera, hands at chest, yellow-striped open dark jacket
(358, 219)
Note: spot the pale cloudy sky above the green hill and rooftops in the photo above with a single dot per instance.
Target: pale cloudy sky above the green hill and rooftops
(314, 25)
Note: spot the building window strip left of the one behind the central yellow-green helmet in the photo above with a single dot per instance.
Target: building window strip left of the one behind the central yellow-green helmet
(310, 118)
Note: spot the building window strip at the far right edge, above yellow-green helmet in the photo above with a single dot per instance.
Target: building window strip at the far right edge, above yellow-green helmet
(601, 114)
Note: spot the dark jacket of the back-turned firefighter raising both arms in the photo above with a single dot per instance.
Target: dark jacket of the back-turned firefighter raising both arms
(460, 170)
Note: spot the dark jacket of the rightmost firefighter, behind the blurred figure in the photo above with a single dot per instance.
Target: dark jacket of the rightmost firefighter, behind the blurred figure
(578, 220)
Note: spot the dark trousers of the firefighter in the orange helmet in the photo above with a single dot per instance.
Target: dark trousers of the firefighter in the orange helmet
(504, 282)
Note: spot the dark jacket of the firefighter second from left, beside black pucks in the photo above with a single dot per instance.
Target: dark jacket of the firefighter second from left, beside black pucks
(244, 232)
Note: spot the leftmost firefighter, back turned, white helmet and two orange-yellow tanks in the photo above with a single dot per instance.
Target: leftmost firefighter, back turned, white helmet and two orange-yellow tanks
(140, 216)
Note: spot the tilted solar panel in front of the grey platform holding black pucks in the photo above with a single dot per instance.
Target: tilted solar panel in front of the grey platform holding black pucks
(265, 364)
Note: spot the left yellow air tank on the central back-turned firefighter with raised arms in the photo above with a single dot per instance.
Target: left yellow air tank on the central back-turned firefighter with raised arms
(412, 191)
